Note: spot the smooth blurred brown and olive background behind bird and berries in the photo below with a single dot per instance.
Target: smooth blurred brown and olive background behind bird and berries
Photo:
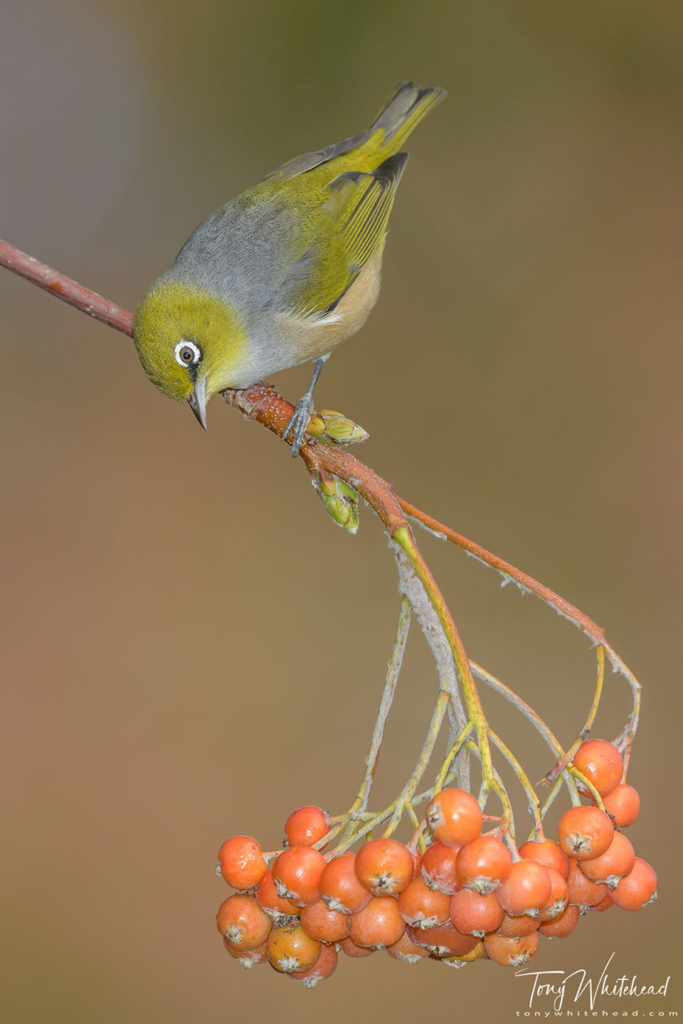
(190, 648)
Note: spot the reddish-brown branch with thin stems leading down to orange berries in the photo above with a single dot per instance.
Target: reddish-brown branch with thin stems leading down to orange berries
(422, 598)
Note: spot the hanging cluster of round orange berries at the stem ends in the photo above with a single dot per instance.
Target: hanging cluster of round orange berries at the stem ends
(465, 897)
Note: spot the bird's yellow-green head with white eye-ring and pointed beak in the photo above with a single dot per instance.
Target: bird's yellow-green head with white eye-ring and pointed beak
(189, 343)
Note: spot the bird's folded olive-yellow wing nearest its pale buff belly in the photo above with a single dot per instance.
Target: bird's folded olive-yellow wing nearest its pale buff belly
(350, 229)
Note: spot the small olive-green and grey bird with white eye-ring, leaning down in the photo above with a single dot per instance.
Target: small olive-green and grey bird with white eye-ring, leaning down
(283, 274)
